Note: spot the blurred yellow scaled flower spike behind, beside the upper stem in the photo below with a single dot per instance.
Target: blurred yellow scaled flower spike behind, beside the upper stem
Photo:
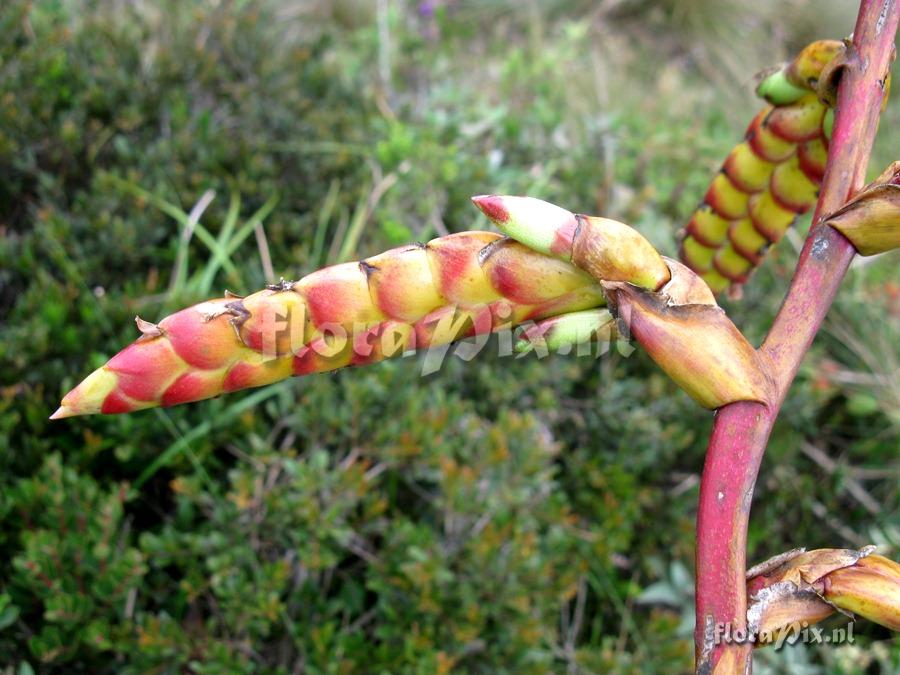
(768, 179)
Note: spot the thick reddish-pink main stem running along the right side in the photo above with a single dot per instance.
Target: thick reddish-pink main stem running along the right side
(741, 430)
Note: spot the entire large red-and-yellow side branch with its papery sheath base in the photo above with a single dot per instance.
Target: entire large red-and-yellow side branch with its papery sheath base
(425, 295)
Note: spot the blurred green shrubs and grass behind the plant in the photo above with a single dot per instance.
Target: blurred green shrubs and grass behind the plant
(502, 516)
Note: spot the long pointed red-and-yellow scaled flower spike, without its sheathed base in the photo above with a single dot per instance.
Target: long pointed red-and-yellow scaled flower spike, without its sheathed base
(349, 314)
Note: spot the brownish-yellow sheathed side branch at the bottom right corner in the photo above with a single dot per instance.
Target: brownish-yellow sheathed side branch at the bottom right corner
(801, 587)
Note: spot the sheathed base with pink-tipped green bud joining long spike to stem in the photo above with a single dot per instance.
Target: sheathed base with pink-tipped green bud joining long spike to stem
(665, 306)
